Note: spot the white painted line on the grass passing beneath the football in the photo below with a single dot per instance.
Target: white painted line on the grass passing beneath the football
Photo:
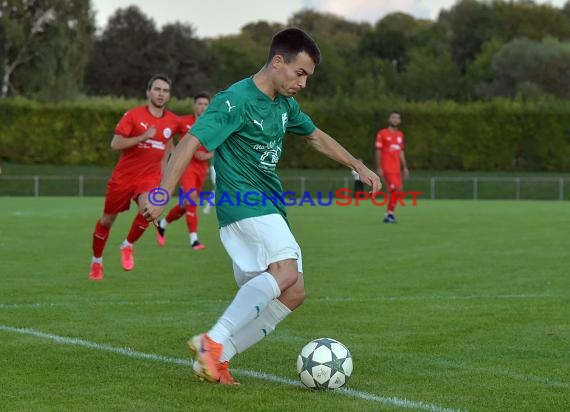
(392, 401)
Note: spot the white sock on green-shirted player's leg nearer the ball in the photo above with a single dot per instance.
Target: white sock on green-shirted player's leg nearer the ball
(255, 330)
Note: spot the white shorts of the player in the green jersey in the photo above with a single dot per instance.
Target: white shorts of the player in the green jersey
(256, 242)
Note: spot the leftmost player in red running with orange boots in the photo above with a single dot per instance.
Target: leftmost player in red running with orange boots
(144, 135)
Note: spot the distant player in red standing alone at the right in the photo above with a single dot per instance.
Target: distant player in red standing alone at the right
(391, 161)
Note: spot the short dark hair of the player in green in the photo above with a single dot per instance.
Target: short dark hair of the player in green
(290, 42)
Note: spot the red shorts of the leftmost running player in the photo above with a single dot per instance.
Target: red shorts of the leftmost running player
(120, 192)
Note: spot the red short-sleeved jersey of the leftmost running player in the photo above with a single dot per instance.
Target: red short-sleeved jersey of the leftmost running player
(144, 159)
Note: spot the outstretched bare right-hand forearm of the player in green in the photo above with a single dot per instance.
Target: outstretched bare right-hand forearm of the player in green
(328, 146)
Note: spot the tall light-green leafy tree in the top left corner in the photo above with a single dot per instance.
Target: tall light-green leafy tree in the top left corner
(45, 44)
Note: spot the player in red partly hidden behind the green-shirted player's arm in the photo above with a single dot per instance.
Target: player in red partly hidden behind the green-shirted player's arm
(193, 178)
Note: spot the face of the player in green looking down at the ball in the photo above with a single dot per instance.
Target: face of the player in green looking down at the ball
(292, 77)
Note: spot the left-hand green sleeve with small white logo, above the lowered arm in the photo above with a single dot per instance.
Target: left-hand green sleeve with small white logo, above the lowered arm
(222, 118)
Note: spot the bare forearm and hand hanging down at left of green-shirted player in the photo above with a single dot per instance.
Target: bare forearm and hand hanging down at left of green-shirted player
(176, 165)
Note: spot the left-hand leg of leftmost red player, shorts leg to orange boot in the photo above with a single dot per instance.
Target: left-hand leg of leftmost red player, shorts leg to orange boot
(117, 200)
